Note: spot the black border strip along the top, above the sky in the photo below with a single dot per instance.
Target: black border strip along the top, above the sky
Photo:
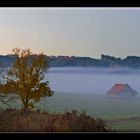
(69, 3)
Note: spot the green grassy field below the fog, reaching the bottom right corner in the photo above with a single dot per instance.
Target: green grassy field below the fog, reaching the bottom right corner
(120, 114)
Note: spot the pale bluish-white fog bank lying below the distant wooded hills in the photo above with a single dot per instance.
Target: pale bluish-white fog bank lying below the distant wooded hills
(91, 80)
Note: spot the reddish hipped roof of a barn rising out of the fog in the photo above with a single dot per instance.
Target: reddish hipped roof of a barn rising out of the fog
(121, 90)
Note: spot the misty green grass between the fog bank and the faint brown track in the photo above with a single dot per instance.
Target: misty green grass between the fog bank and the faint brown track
(97, 106)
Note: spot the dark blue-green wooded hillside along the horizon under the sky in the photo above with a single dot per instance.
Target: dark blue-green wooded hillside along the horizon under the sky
(63, 61)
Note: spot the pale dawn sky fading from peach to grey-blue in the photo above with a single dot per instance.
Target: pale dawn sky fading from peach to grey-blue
(71, 31)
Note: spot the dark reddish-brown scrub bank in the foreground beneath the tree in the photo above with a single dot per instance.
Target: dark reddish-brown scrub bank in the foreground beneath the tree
(12, 120)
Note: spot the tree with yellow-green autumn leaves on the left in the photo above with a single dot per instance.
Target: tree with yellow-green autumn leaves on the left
(26, 78)
